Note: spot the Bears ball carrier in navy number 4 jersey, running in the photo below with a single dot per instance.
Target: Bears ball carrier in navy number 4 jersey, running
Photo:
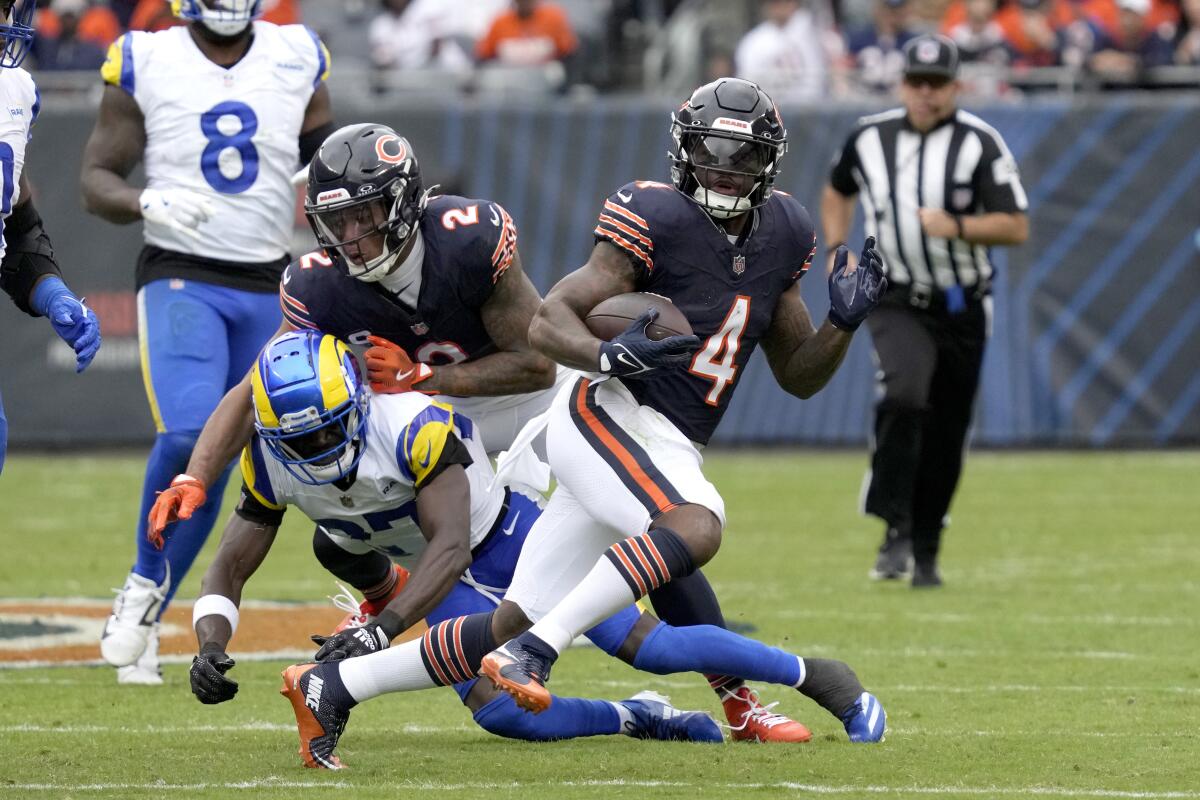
(623, 441)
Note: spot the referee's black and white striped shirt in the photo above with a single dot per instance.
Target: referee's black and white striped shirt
(962, 166)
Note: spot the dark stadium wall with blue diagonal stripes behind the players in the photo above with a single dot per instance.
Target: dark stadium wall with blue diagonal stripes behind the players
(1097, 324)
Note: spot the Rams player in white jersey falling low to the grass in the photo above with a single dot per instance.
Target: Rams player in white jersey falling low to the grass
(407, 477)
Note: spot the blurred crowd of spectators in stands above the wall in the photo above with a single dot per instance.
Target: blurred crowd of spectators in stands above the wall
(797, 50)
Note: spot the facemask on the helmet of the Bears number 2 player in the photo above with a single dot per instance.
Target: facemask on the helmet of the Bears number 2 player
(369, 233)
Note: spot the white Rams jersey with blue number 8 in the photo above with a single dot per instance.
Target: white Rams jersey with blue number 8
(229, 134)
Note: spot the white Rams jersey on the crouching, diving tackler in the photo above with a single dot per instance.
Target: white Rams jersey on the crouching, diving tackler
(405, 442)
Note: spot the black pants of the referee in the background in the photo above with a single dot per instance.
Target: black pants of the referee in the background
(929, 365)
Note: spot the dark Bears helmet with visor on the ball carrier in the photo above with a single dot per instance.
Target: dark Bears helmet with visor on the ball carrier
(727, 143)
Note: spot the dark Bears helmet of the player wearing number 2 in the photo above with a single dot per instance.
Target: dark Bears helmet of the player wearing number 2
(365, 197)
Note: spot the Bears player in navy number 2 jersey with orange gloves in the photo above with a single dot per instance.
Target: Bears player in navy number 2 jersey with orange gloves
(433, 282)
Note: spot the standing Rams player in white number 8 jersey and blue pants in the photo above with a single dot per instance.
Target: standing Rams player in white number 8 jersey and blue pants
(221, 112)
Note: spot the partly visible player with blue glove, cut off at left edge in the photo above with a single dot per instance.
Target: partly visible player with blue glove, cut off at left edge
(28, 270)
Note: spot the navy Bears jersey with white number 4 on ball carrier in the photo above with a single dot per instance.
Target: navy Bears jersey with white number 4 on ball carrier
(728, 292)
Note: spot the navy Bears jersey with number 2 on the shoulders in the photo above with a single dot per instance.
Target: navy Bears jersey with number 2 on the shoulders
(469, 246)
